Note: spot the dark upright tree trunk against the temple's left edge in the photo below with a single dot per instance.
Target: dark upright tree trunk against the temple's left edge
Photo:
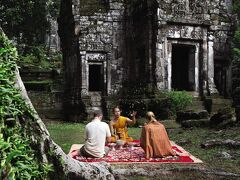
(72, 105)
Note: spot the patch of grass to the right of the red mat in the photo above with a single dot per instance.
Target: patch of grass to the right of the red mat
(191, 140)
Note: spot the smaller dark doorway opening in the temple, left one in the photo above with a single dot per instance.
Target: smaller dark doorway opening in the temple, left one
(95, 77)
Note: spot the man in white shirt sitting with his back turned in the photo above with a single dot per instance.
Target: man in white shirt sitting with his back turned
(96, 135)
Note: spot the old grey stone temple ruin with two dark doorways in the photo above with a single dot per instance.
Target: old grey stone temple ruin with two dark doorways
(173, 44)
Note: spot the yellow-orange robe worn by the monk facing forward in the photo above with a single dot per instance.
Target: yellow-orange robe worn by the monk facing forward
(120, 130)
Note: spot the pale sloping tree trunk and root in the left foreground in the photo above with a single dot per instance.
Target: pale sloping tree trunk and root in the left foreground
(48, 151)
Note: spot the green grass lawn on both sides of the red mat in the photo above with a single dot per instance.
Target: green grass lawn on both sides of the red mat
(66, 134)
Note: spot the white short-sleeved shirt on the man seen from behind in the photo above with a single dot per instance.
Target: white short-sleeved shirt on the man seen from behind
(95, 135)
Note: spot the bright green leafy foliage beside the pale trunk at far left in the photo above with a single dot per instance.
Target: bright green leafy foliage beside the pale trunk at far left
(17, 157)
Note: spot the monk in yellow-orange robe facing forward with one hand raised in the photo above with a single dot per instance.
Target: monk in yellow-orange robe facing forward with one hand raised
(118, 126)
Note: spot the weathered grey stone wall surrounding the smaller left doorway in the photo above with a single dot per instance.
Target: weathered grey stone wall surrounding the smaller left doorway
(101, 42)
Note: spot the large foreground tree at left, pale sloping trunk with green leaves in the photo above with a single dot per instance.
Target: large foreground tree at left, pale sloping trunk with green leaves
(34, 130)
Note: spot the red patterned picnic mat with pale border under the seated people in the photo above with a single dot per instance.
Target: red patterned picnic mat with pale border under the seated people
(136, 155)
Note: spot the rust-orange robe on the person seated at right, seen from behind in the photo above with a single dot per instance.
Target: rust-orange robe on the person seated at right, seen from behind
(155, 142)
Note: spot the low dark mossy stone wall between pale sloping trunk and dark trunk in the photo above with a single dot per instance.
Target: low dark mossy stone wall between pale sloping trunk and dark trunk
(45, 89)
